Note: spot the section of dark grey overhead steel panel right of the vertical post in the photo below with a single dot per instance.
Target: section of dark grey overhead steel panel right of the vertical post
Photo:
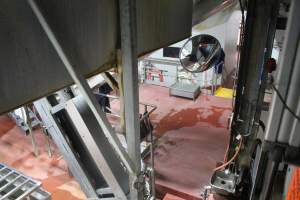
(162, 22)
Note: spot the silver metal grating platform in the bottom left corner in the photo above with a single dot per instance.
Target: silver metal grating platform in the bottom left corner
(17, 186)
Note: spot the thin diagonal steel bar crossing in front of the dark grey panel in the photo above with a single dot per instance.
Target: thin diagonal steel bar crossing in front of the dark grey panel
(84, 89)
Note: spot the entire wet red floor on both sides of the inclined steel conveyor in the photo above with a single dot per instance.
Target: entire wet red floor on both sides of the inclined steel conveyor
(192, 139)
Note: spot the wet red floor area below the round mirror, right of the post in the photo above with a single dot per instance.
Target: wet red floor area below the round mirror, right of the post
(193, 138)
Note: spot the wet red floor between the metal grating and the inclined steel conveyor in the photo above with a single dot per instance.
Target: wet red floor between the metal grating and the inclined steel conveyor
(16, 151)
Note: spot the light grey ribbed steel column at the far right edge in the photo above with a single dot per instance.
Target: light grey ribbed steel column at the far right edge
(281, 141)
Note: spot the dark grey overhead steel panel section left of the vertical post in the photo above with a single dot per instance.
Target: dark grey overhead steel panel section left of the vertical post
(29, 66)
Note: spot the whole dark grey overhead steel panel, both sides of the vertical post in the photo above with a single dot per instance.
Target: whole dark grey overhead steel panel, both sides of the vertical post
(87, 31)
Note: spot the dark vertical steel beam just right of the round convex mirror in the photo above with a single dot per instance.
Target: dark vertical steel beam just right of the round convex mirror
(259, 15)
